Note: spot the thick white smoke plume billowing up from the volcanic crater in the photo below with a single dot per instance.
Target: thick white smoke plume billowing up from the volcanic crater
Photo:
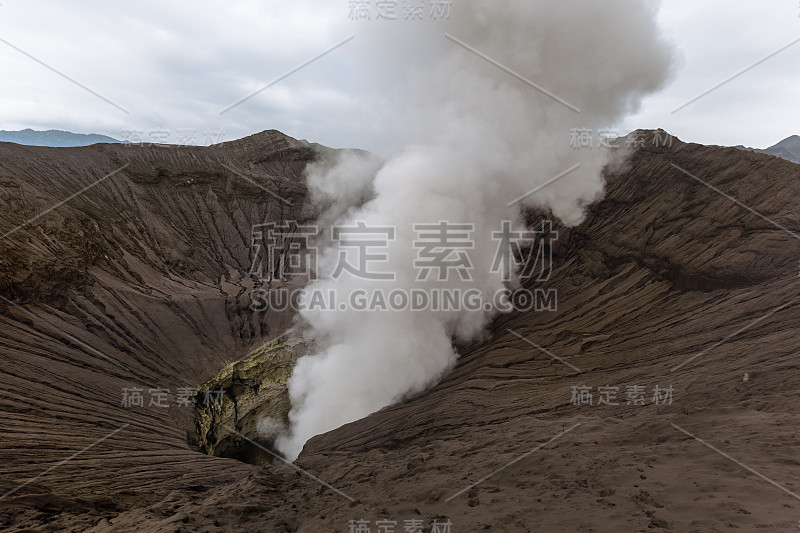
(470, 137)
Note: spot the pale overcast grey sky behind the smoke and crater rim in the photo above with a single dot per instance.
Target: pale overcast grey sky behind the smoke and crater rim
(173, 67)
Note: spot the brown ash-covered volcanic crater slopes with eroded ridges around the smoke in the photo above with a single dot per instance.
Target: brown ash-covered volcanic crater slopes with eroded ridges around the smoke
(142, 282)
